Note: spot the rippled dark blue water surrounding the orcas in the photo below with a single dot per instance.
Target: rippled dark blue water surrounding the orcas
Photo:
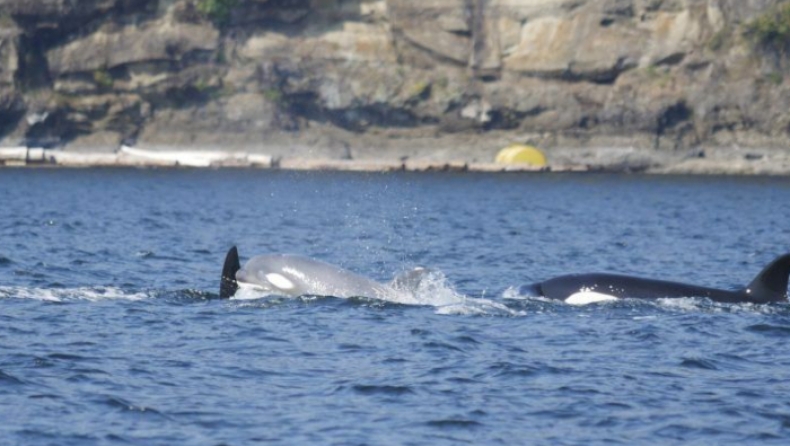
(110, 332)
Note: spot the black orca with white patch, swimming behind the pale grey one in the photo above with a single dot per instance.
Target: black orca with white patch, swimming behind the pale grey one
(769, 286)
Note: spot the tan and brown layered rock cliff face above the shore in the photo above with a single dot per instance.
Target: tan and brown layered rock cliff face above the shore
(336, 76)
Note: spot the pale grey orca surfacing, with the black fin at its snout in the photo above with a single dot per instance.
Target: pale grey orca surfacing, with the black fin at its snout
(293, 276)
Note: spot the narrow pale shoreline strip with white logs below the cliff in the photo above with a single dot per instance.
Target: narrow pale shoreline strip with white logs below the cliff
(721, 161)
